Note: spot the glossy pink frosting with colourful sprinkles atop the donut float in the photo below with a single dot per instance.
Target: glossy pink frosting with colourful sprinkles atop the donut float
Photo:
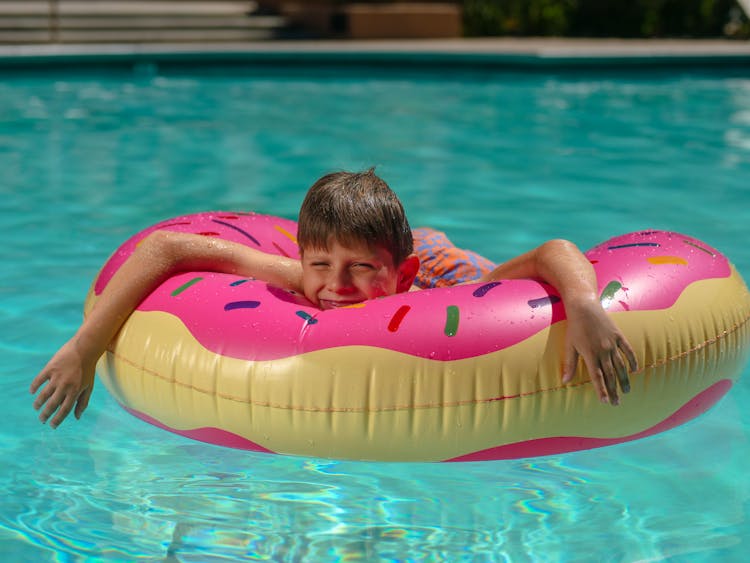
(251, 320)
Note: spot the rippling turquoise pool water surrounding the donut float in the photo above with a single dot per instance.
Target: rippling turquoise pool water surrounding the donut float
(502, 161)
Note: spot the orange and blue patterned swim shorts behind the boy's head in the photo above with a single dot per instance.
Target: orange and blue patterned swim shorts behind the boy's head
(442, 264)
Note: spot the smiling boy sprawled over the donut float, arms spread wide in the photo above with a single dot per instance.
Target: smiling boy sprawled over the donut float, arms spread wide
(355, 244)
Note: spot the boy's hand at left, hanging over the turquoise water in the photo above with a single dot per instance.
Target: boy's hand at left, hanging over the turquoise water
(69, 379)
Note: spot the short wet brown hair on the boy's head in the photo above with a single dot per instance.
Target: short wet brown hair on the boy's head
(354, 207)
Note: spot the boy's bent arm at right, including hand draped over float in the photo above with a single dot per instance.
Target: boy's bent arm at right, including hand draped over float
(591, 333)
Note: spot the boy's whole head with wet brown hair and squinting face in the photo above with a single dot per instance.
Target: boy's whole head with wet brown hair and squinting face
(354, 240)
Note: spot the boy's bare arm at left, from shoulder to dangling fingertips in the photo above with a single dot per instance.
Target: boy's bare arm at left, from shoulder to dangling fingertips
(67, 379)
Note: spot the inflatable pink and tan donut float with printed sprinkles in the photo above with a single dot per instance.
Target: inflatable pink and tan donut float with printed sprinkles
(464, 373)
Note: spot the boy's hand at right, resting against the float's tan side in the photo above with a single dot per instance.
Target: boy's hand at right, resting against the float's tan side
(593, 336)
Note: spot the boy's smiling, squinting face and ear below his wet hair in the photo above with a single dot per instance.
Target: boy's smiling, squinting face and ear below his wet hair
(340, 275)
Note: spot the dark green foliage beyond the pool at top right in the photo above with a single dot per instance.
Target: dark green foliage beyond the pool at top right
(606, 18)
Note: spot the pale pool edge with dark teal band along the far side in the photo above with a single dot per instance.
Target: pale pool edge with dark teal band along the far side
(485, 52)
